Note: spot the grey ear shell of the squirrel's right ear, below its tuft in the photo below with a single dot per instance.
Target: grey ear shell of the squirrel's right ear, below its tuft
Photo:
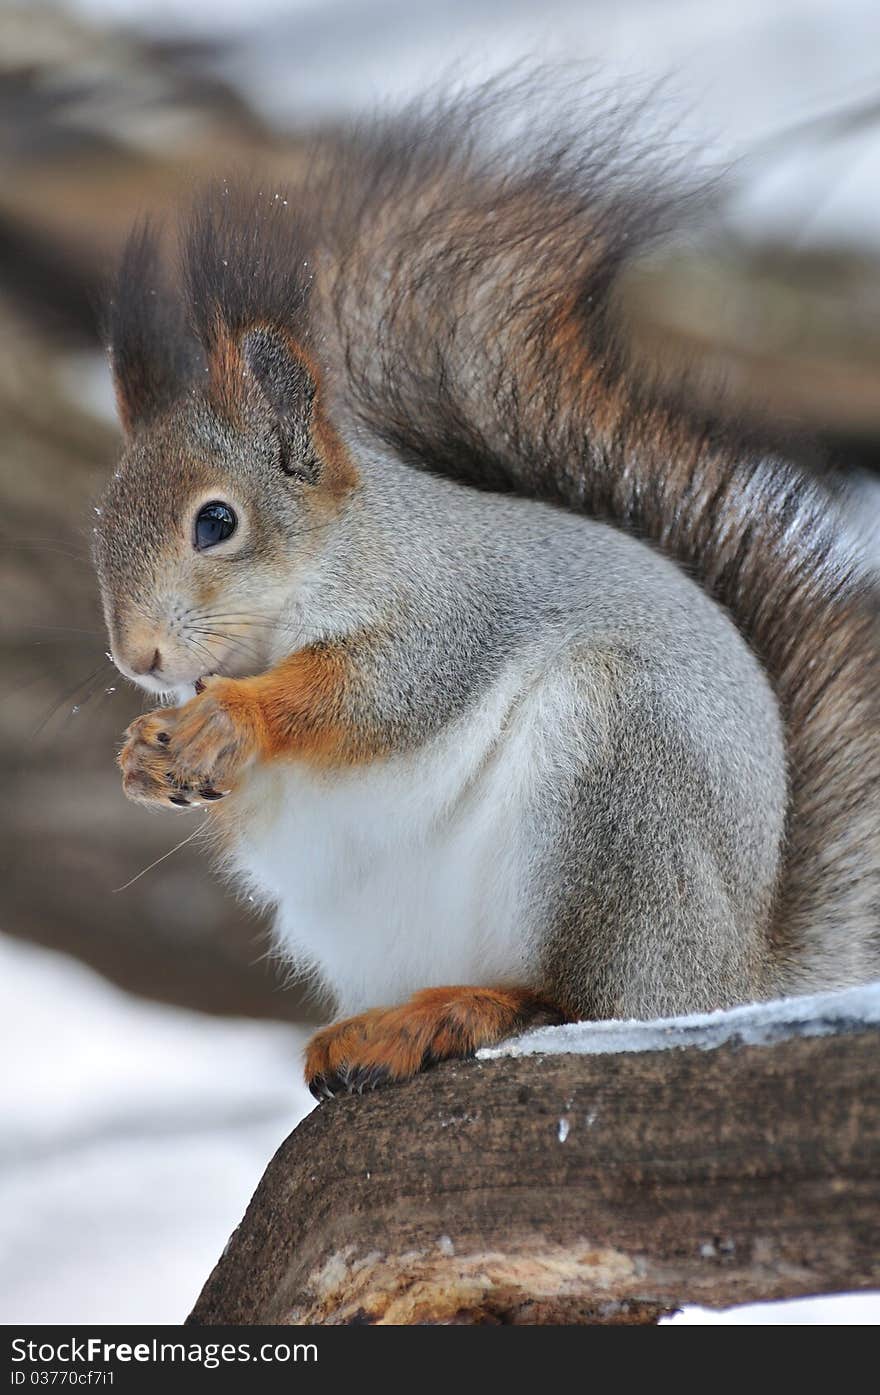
(288, 384)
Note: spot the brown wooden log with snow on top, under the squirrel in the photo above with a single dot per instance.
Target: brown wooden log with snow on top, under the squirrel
(592, 1174)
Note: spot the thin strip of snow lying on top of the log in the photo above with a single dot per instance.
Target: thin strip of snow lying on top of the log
(757, 1025)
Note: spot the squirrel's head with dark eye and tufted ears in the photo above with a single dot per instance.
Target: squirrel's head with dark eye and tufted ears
(229, 479)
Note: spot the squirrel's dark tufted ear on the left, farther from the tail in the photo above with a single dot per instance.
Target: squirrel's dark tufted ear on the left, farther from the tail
(153, 354)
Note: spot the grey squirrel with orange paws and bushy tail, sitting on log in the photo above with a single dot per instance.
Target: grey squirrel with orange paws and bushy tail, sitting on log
(521, 695)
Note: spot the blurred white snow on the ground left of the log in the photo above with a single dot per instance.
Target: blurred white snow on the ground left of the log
(135, 1136)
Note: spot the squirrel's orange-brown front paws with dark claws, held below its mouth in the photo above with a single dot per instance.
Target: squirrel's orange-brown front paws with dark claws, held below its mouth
(190, 755)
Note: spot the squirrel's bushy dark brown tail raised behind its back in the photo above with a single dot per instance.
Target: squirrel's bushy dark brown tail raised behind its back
(471, 284)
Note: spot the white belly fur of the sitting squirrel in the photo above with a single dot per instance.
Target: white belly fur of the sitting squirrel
(409, 873)
